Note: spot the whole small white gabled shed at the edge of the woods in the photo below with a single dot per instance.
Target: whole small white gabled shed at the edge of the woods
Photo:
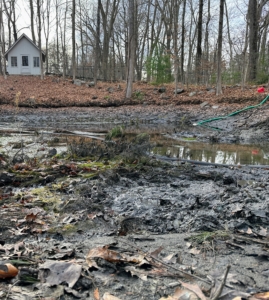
(23, 57)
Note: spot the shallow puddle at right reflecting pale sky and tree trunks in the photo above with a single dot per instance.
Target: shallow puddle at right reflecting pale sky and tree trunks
(216, 153)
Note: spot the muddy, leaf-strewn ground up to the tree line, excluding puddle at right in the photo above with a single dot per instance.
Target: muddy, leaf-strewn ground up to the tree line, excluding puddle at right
(84, 217)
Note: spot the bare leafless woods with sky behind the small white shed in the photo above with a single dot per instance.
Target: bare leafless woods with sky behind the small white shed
(207, 42)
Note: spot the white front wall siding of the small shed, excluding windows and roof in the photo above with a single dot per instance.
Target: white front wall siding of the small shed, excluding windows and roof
(23, 48)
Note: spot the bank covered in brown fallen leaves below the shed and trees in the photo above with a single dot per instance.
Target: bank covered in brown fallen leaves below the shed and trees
(31, 91)
